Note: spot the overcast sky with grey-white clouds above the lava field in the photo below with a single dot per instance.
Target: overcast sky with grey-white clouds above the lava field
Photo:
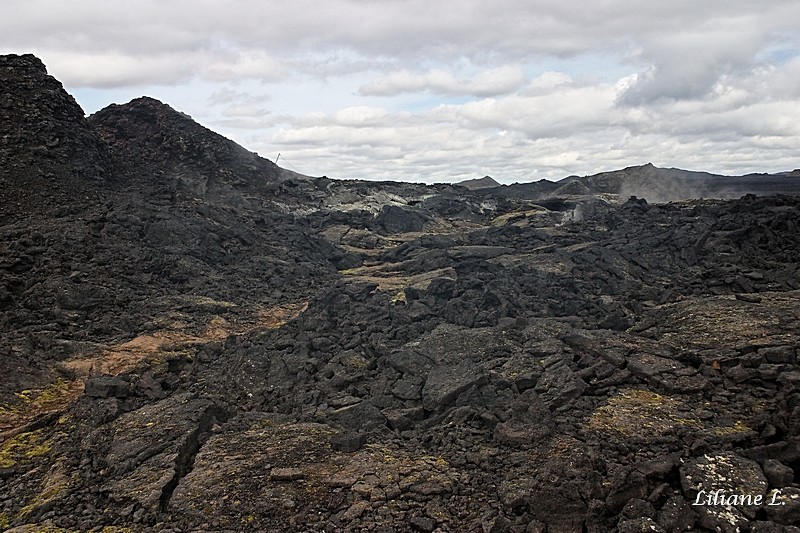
(445, 90)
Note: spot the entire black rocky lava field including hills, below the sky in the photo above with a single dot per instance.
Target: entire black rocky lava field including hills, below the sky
(194, 339)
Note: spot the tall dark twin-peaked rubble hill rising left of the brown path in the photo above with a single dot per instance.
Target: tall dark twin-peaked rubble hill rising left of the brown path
(94, 249)
